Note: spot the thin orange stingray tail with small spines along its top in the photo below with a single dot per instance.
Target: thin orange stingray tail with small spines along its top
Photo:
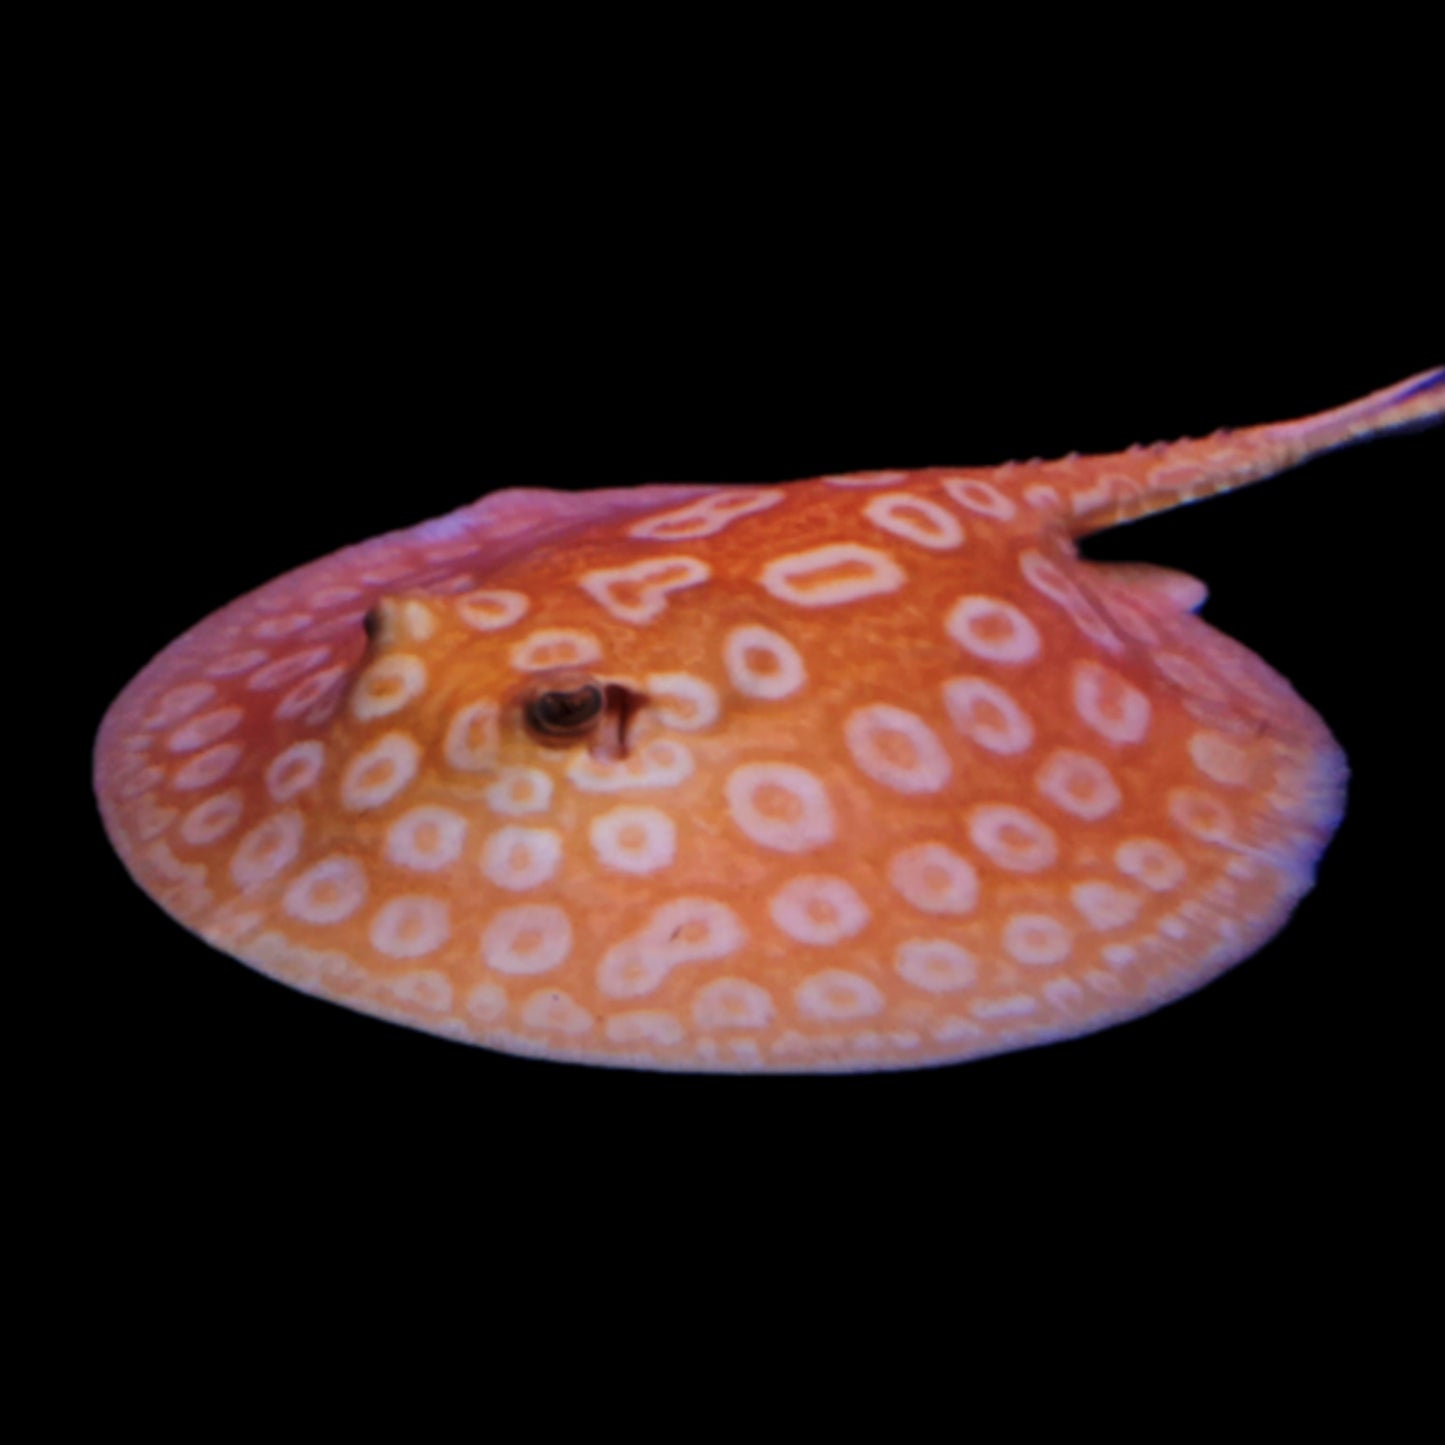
(1109, 491)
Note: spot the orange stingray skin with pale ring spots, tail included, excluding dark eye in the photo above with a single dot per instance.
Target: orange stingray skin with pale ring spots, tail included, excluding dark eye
(888, 777)
